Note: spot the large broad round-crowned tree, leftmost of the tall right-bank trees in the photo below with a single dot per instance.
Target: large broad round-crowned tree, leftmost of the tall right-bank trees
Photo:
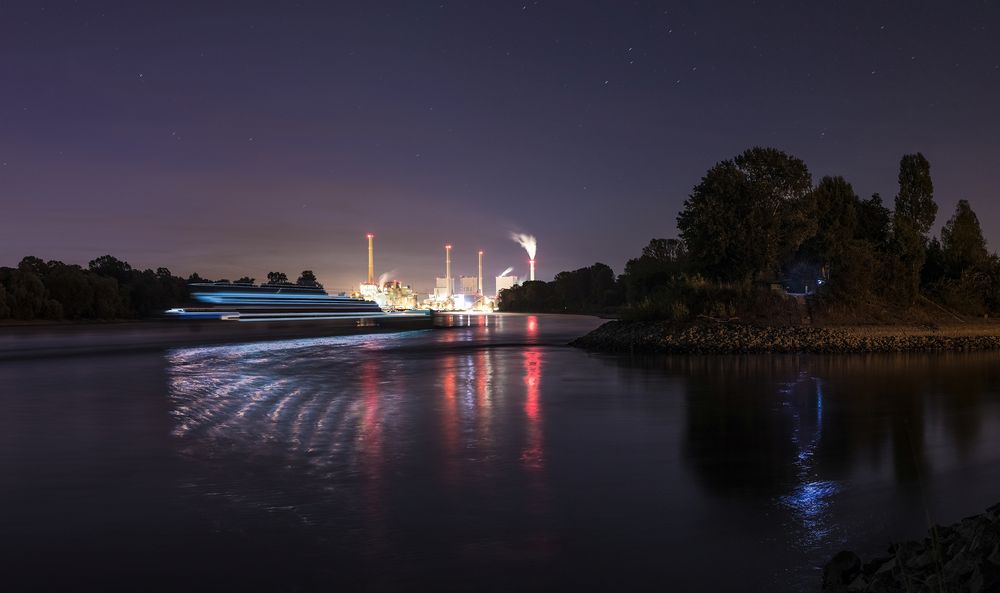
(748, 215)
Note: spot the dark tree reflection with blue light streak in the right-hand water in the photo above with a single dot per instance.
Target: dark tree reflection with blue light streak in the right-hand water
(804, 431)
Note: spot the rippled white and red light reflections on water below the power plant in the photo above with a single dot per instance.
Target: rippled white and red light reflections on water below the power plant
(352, 416)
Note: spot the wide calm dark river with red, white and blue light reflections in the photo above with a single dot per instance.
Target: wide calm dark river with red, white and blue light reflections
(483, 457)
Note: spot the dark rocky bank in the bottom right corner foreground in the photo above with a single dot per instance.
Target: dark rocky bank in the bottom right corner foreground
(962, 557)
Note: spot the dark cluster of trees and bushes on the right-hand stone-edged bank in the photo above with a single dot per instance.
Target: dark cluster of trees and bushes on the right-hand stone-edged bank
(756, 226)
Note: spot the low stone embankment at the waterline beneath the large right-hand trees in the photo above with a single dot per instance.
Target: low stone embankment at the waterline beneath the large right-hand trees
(729, 338)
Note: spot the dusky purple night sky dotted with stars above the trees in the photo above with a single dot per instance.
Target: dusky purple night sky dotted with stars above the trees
(238, 138)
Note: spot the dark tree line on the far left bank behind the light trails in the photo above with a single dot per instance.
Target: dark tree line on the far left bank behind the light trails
(108, 288)
